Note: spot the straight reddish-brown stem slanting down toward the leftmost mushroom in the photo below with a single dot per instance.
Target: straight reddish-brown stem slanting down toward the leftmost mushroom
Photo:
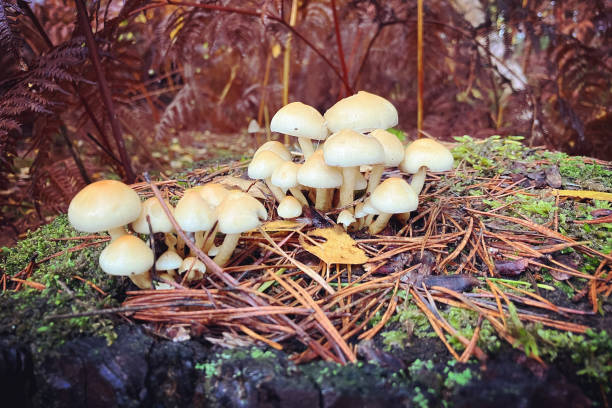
(104, 89)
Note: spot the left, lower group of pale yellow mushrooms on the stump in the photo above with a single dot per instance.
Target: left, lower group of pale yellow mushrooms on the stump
(202, 212)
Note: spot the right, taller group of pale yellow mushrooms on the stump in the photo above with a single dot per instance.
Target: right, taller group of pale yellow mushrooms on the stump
(354, 143)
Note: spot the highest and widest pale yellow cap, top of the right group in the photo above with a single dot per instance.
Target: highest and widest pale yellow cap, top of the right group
(362, 112)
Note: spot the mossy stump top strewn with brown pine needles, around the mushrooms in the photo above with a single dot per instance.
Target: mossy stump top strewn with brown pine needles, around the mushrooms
(496, 292)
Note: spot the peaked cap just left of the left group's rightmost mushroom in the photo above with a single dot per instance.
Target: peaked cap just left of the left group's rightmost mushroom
(193, 213)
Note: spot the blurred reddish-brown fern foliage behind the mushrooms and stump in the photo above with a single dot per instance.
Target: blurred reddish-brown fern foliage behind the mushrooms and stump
(187, 79)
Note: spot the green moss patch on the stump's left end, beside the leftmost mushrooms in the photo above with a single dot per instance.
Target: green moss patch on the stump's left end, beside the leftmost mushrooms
(24, 315)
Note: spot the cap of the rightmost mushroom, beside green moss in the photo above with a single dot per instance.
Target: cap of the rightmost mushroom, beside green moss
(429, 153)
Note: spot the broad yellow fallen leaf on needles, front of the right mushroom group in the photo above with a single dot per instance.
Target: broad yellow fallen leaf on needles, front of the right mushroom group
(338, 248)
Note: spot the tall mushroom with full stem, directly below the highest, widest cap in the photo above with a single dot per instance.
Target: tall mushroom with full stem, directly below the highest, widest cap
(349, 150)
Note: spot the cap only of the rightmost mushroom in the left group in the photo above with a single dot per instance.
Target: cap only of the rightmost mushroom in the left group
(240, 212)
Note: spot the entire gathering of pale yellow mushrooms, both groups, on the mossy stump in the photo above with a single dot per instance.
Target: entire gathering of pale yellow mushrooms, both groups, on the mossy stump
(355, 148)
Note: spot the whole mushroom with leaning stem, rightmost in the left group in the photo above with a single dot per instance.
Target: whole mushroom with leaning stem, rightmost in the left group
(238, 213)
